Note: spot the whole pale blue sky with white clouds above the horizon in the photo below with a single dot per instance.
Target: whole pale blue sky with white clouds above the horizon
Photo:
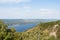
(29, 9)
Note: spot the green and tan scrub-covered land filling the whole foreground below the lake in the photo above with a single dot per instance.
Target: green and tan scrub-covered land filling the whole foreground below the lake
(43, 31)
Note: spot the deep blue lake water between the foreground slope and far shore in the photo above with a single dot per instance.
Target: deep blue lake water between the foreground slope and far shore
(22, 27)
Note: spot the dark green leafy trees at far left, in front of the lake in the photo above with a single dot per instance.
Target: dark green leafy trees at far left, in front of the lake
(4, 33)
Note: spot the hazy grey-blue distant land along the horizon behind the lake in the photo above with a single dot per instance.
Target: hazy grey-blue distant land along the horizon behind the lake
(19, 21)
